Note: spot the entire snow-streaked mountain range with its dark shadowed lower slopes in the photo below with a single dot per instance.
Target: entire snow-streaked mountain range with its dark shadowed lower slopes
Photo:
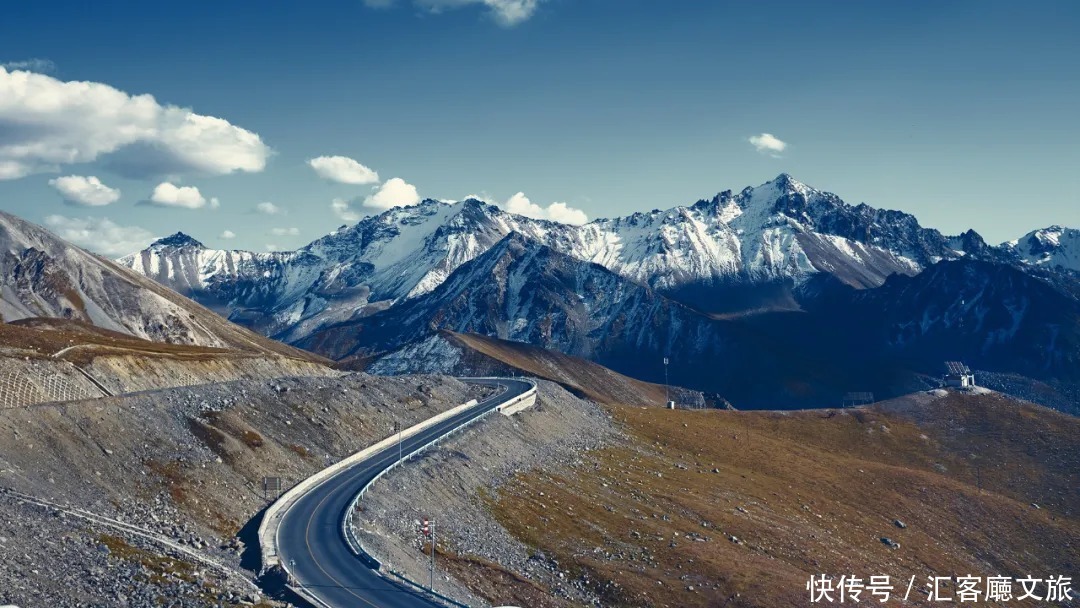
(781, 280)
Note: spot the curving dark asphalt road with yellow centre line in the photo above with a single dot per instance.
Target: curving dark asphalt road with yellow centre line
(309, 537)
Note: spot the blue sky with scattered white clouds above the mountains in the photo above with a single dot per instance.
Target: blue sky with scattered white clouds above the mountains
(266, 129)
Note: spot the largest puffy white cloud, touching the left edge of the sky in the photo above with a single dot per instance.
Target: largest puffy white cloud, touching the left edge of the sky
(49, 124)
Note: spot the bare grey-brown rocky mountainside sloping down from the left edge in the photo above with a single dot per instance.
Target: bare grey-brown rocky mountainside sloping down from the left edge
(43, 276)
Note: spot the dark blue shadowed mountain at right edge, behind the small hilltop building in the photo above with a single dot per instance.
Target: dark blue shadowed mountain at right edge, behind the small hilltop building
(991, 316)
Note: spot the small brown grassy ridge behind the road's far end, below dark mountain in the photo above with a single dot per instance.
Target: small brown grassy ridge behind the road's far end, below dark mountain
(584, 377)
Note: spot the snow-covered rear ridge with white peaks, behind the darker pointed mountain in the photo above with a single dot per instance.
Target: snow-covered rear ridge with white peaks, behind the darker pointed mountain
(781, 233)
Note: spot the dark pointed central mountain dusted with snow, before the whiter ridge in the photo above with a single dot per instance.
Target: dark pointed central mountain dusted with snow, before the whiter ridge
(524, 291)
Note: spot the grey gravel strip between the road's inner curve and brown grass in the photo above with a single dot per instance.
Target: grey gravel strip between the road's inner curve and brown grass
(480, 563)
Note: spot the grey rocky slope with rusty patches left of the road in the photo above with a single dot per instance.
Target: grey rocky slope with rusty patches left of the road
(143, 490)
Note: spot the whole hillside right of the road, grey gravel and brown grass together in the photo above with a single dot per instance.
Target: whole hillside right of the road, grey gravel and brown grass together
(740, 509)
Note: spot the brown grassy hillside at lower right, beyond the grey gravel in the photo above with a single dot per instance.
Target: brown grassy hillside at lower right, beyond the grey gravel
(809, 493)
